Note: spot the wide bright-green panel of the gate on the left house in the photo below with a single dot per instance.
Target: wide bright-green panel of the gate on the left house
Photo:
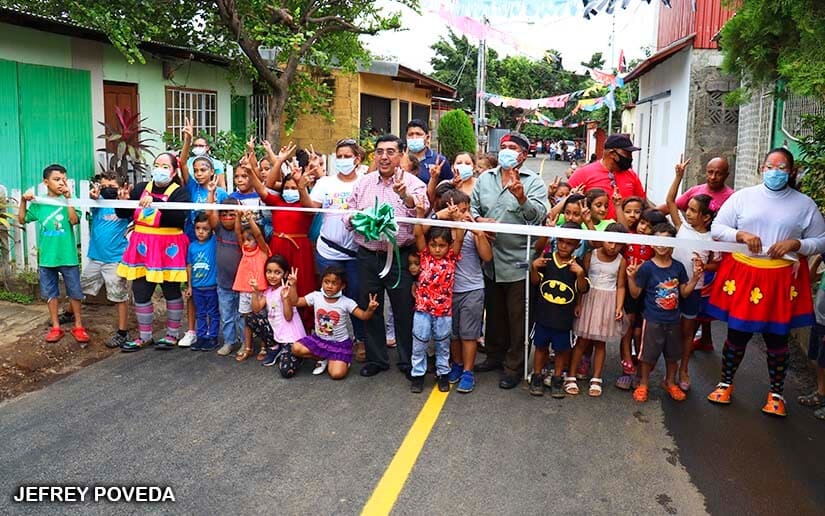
(55, 120)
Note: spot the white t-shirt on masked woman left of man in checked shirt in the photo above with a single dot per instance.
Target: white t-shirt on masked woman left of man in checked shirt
(333, 193)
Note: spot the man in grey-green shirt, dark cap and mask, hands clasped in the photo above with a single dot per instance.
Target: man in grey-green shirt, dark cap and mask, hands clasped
(513, 195)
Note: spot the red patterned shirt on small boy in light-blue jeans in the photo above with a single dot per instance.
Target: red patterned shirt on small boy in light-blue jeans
(434, 294)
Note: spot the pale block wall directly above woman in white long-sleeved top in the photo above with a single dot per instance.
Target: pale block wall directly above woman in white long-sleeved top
(754, 137)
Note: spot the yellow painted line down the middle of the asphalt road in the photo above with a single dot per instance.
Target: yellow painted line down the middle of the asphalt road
(389, 487)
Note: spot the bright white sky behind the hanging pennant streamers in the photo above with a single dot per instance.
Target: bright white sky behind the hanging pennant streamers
(573, 36)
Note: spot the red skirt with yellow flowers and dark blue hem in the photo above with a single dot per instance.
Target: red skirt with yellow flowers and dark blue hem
(762, 295)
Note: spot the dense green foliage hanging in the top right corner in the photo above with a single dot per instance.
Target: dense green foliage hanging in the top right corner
(768, 40)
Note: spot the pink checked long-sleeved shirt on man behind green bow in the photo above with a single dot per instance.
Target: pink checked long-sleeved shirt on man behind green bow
(372, 186)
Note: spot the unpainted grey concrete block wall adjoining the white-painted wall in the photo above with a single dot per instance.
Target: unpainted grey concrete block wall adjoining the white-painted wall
(712, 127)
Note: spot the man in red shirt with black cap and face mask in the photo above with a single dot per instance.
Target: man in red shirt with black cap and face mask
(611, 172)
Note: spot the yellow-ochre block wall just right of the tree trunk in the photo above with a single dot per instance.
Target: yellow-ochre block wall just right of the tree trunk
(320, 132)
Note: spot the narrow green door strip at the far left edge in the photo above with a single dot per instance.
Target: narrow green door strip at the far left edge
(9, 127)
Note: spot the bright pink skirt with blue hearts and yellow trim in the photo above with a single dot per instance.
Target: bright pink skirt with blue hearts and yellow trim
(158, 254)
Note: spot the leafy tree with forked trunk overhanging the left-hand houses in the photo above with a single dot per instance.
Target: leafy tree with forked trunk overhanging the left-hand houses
(308, 38)
